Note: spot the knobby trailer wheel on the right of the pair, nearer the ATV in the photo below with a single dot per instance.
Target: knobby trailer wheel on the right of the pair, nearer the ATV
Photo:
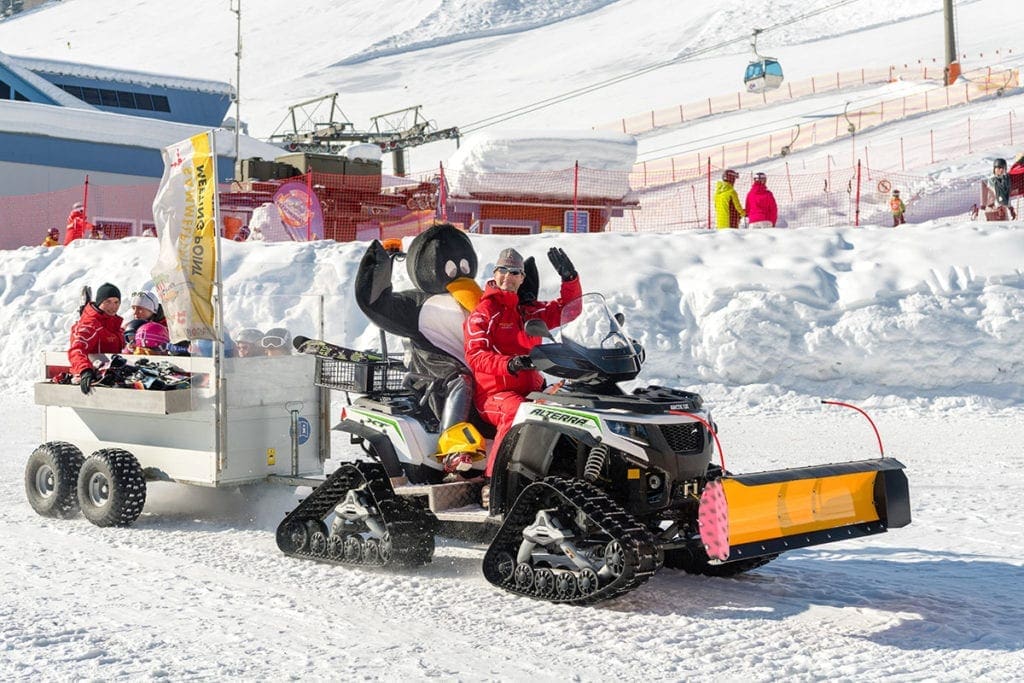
(111, 488)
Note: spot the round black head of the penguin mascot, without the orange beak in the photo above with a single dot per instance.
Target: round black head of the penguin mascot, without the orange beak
(439, 257)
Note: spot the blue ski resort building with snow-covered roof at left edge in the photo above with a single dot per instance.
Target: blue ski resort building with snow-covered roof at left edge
(63, 123)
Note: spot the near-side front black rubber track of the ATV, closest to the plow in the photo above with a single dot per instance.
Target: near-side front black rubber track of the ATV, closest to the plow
(643, 557)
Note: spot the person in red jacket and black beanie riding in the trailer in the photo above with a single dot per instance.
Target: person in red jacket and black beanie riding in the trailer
(98, 331)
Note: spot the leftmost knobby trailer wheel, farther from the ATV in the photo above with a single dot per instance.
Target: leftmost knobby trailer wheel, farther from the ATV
(52, 480)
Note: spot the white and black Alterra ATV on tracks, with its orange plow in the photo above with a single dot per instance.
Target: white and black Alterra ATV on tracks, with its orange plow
(594, 490)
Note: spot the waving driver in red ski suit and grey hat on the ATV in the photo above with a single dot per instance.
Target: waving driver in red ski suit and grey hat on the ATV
(497, 345)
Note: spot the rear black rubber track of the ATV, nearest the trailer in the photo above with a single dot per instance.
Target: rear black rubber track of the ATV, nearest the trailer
(410, 528)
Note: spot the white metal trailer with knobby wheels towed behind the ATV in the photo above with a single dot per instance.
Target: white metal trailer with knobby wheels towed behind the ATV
(263, 421)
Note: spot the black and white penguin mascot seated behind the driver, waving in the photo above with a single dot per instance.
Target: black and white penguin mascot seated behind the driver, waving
(443, 266)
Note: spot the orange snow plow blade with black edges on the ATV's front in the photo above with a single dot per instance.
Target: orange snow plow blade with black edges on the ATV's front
(769, 514)
